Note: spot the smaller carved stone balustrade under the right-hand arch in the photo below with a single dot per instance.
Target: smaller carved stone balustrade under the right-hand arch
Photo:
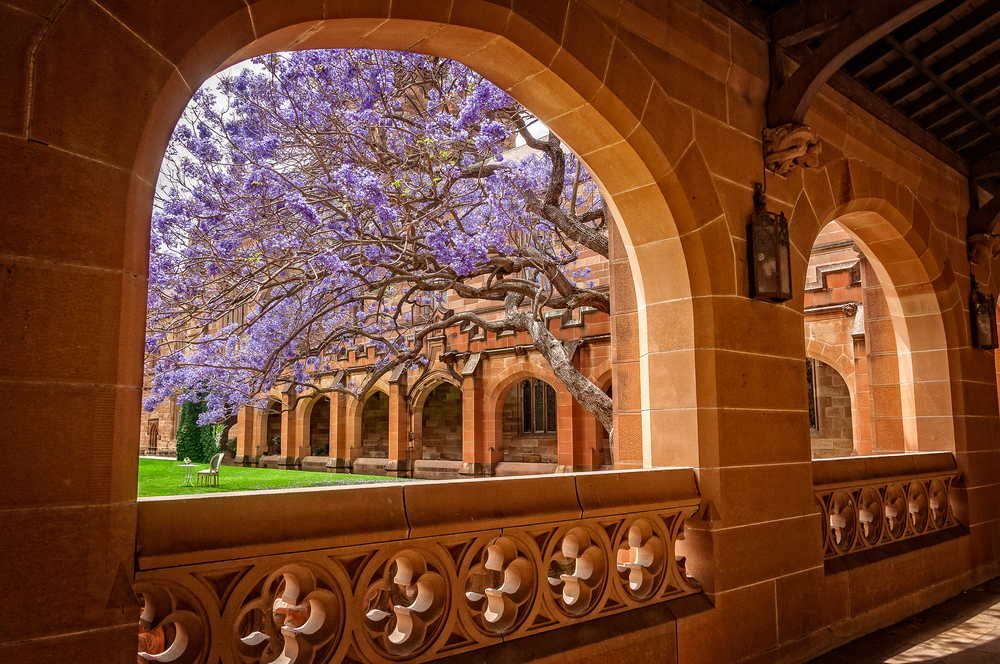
(873, 501)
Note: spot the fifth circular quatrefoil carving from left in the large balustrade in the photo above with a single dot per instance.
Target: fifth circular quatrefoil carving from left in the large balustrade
(577, 571)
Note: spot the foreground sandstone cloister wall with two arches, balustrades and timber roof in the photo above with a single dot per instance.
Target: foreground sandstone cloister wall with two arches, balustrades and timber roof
(784, 557)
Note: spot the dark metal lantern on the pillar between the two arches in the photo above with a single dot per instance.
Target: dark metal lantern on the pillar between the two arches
(768, 257)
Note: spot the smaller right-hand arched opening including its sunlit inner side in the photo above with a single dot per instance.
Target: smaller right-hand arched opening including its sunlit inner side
(875, 309)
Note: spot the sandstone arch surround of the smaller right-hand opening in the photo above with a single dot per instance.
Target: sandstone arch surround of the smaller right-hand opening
(919, 286)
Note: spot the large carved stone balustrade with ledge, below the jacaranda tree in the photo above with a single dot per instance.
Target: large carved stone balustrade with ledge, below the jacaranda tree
(408, 572)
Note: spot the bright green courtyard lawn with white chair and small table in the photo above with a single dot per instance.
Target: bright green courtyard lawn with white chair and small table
(162, 477)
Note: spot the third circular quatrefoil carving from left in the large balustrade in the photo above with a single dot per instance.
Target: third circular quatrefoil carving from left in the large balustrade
(405, 604)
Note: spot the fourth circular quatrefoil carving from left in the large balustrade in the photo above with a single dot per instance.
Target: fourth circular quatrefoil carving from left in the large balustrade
(500, 586)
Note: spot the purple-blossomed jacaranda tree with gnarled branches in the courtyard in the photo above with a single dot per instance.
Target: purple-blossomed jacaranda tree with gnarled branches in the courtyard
(329, 197)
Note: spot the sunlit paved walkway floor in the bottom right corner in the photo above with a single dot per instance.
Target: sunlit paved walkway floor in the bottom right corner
(963, 630)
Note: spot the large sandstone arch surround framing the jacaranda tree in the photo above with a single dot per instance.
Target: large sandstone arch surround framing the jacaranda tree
(588, 93)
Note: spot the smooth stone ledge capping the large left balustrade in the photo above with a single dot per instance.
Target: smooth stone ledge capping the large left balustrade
(185, 530)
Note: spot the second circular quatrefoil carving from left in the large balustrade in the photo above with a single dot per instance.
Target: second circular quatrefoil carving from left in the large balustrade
(297, 617)
